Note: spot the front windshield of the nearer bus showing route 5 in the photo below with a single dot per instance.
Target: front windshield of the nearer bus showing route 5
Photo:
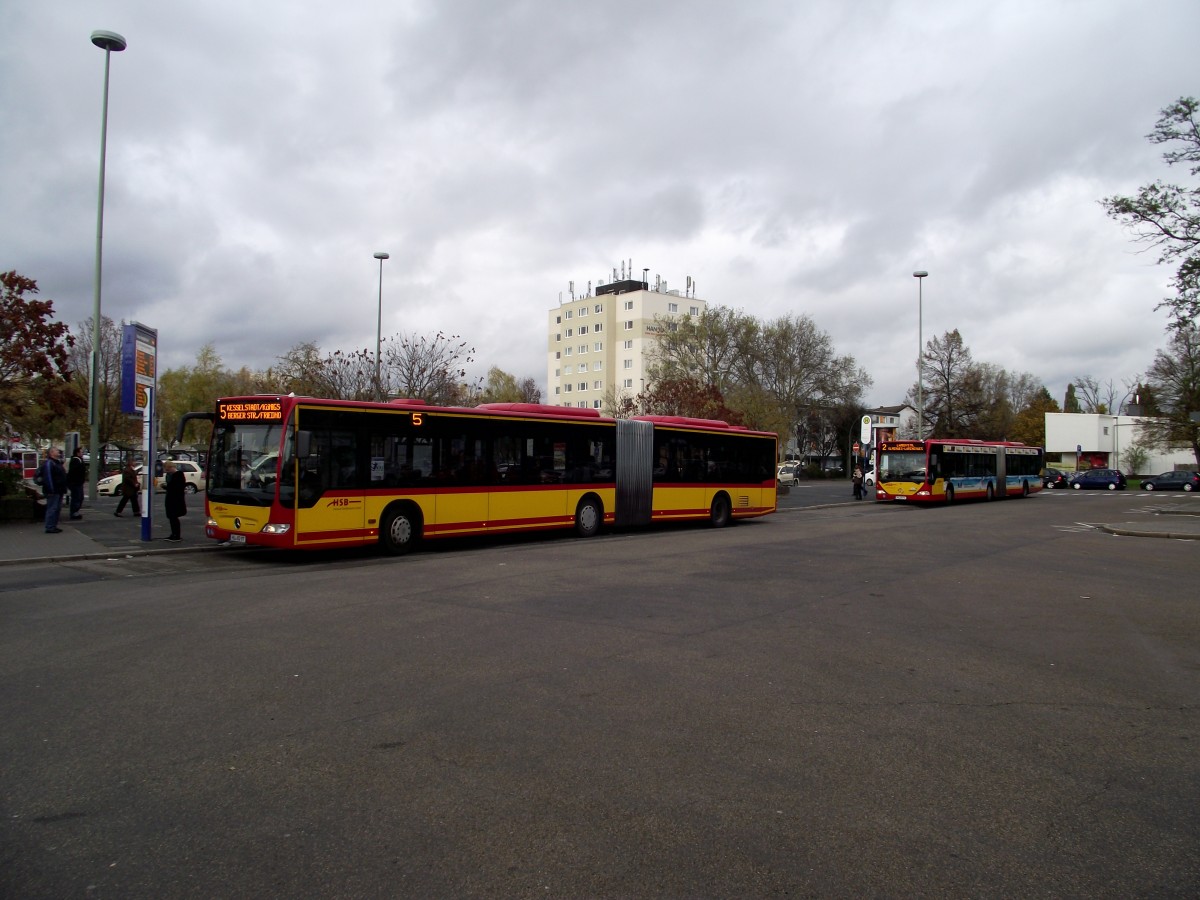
(243, 463)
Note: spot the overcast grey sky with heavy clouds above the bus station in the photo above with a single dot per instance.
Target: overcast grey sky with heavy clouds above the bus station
(795, 158)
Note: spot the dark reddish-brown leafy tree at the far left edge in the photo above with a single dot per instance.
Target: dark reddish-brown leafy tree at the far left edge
(35, 395)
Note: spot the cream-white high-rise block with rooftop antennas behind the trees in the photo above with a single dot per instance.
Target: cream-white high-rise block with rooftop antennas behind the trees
(601, 346)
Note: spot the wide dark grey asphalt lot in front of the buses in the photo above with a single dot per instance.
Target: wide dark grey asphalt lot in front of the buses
(841, 700)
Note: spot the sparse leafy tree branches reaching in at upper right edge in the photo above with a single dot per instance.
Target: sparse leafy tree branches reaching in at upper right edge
(1168, 217)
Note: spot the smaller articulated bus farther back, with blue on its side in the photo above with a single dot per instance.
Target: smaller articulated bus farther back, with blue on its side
(945, 471)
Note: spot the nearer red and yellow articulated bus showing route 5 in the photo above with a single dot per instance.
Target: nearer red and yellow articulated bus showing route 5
(296, 472)
